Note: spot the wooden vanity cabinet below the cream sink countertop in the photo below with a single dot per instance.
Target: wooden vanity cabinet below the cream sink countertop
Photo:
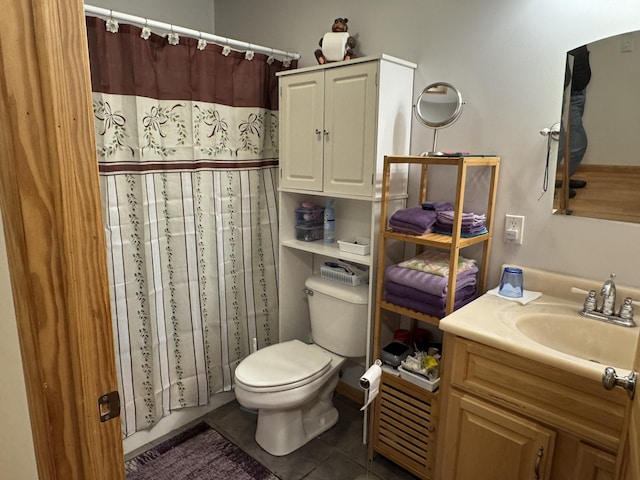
(515, 418)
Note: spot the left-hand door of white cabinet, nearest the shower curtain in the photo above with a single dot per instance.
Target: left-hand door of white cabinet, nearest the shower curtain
(301, 130)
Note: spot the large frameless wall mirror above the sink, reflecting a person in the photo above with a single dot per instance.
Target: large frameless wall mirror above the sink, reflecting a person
(610, 106)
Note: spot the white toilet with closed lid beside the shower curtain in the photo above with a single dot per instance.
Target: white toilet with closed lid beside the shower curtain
(291, 383)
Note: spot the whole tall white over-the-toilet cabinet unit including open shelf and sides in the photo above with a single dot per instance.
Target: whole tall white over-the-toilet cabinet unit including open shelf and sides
(337, 122)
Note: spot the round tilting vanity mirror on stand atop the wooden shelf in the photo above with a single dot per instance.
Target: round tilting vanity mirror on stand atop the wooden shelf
(438, 106)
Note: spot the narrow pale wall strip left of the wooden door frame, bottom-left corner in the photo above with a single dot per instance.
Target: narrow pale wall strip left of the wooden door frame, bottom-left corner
(17, 454)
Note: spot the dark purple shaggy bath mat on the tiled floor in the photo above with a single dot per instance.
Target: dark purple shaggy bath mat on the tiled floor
(199, 453)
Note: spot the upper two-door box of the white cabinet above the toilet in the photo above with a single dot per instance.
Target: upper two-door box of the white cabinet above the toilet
(337, 121)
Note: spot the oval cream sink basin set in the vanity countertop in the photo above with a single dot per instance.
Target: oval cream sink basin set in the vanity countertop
(588, 339)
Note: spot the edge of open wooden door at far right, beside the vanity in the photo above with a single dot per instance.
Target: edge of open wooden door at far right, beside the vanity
(628, 461)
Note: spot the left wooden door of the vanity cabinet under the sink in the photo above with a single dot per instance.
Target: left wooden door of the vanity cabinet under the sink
(486, 441)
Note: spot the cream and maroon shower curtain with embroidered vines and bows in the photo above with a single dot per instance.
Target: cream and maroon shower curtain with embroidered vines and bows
(187, 141)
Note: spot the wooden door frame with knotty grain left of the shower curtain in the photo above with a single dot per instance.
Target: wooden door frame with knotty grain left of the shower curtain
(49, 199)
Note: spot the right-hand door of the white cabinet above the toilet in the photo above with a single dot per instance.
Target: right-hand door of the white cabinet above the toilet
(350, 123)
